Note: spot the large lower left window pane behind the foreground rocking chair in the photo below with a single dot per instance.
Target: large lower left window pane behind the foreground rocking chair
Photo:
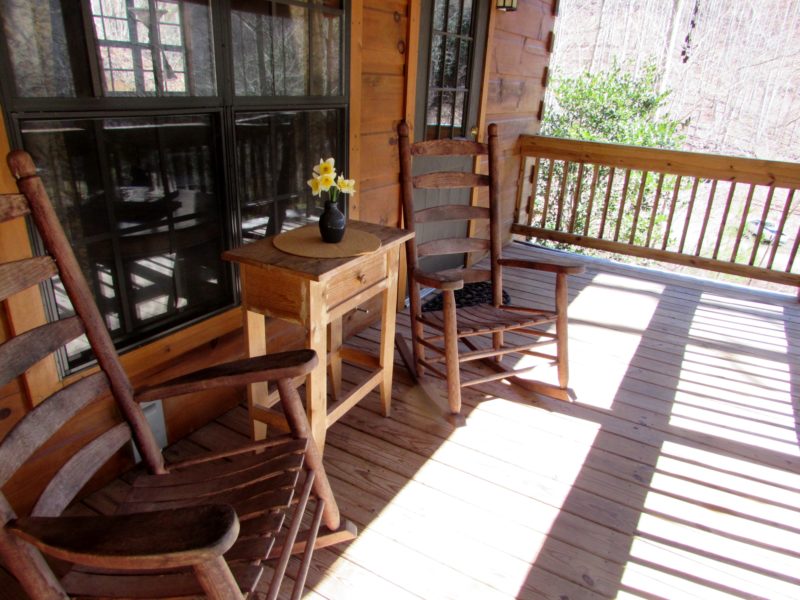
(139, 200)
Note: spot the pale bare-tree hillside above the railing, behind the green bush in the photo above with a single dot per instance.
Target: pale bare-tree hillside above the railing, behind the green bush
(733, 67)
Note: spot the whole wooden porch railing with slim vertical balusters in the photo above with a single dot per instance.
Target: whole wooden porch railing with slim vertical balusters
(731, 215)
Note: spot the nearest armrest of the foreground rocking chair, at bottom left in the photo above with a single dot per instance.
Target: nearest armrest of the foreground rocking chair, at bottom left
(154, 540)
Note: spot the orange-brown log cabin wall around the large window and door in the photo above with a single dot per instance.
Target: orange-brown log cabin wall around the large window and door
(382, 78)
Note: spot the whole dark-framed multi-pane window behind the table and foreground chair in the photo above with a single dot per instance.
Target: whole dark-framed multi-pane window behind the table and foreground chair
(163, 138)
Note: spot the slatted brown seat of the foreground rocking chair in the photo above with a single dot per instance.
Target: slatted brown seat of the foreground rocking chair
(258, 485)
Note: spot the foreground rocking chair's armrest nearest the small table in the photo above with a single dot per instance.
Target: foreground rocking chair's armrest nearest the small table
(271, 367)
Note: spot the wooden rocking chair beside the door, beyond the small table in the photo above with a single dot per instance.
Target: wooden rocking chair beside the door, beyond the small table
(450, 337)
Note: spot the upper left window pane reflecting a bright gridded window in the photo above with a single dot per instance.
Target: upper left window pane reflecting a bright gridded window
(49, 57)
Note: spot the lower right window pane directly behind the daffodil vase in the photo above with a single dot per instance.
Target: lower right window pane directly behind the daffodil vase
(276, 153)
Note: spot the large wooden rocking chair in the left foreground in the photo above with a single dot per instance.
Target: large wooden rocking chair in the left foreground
(205, 526)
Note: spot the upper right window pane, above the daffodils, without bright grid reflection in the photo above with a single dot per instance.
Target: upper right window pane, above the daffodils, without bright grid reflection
(274, 55)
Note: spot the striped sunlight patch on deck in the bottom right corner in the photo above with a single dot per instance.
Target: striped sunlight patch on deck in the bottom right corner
(713, 526)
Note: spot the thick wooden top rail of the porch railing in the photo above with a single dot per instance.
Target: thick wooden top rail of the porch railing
(692, 164)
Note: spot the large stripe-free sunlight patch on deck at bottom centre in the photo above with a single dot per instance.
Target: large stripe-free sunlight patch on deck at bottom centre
(493, 525)
